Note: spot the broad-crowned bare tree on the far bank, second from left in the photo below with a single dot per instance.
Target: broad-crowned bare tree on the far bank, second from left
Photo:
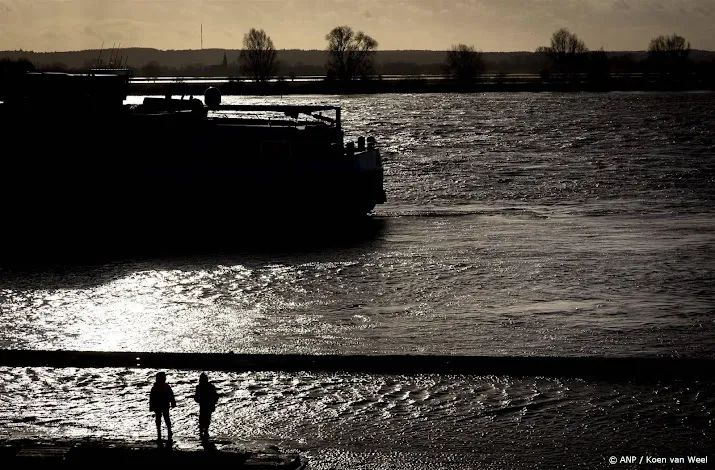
(350, 54)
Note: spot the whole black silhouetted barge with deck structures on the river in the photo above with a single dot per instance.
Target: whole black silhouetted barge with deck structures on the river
(80, 166)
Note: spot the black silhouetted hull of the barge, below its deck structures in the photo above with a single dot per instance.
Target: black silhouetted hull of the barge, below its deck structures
(124, 186)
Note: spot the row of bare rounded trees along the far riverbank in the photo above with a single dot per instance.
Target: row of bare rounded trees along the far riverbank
(350, 56)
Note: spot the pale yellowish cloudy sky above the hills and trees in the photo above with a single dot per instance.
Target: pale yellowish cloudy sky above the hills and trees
(488, 25)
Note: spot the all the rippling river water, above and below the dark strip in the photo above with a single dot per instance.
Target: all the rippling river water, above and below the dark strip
(516, 224)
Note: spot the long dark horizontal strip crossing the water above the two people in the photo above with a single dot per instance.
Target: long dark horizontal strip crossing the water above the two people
(628, 368)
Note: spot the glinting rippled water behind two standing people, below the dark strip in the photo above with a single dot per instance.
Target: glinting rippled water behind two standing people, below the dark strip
(397, 418)
